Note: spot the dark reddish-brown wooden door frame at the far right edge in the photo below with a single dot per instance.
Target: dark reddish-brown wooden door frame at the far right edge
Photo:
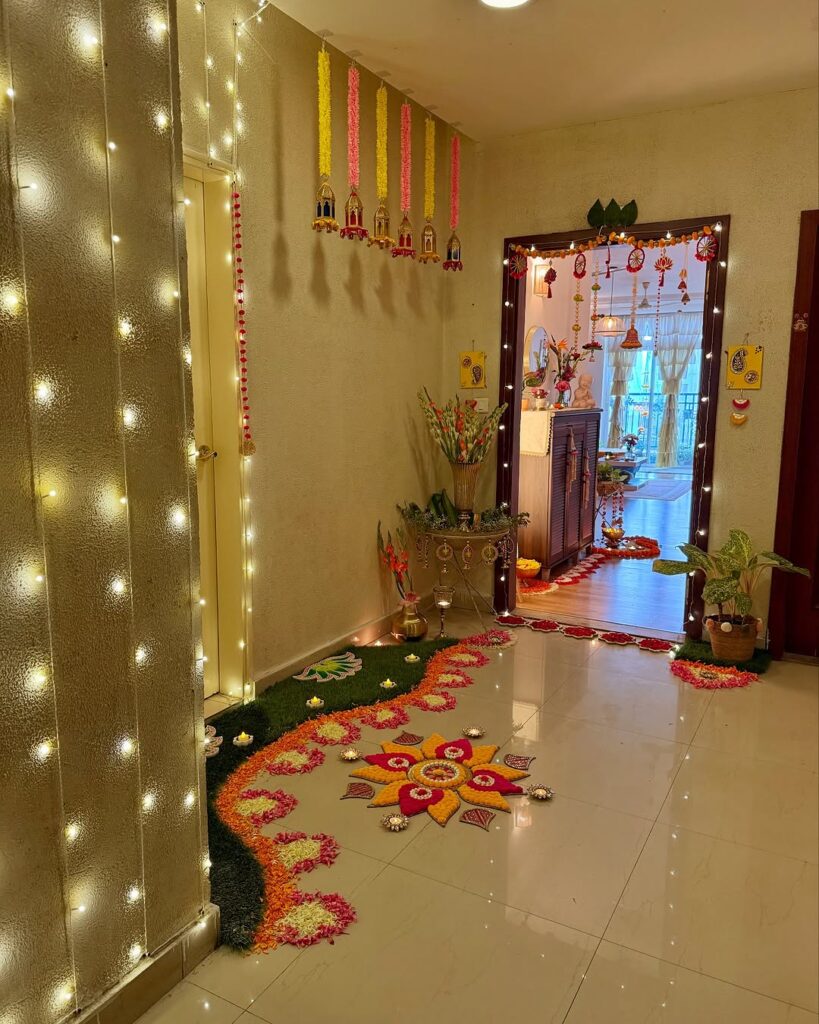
(798, 385)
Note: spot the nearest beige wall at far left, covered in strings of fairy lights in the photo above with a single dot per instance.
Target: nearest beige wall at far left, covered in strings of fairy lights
(100, 650)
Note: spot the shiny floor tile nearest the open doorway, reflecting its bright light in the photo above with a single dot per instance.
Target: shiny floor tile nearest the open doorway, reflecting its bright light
(666, 708)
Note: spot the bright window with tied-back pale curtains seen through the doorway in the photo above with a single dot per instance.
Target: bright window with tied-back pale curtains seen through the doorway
(657, 398)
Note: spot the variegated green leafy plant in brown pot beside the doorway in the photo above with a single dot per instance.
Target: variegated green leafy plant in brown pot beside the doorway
(732, 576)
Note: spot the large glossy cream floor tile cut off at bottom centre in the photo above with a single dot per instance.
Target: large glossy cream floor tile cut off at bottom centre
(423, 951)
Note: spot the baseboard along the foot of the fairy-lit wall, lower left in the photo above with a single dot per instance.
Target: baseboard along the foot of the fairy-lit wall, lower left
(156, 975)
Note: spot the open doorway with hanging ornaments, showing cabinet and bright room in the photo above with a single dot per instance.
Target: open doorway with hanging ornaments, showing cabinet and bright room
(633, 452)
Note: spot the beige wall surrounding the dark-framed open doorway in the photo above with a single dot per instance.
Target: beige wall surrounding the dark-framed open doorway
(755, 160)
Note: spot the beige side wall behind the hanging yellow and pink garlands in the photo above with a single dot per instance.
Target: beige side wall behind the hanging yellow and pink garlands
(341, 335)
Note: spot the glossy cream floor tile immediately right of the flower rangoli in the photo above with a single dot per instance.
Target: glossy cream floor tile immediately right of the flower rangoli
(621, 771)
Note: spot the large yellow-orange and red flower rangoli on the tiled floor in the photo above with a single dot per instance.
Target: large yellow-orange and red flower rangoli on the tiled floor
(441, 775)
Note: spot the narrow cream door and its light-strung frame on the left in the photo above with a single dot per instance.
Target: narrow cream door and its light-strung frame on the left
(222, 465)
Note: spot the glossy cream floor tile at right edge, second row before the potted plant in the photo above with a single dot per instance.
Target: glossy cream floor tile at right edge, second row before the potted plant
(764, 804)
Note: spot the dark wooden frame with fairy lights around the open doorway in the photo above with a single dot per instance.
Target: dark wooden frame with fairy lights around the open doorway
(511, 379)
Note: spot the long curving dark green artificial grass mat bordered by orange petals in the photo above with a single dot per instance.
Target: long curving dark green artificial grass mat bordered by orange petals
(237, 884)
